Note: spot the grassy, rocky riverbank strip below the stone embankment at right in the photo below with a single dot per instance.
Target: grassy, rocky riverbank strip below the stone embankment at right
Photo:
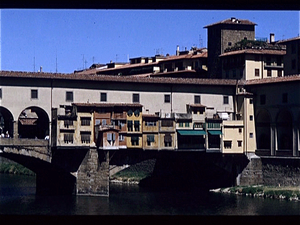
(287, 193)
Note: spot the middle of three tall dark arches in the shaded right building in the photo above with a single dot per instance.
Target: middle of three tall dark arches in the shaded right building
(284, 124)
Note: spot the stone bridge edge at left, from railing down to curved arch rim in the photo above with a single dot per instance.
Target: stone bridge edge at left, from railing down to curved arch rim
(27, 147)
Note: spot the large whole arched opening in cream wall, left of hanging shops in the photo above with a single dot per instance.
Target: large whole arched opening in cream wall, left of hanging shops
(33, 122)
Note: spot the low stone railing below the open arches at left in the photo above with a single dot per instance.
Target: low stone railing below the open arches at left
(11, 142)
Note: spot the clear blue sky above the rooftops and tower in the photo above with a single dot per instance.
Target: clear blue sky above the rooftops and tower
(78, 38)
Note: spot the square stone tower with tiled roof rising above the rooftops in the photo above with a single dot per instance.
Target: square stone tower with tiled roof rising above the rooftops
(222, 35)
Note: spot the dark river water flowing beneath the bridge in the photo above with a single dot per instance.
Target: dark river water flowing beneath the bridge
(17, 197)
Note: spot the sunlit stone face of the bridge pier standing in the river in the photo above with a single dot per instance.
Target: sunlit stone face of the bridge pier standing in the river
(93, 174)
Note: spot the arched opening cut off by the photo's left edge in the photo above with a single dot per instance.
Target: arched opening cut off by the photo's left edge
(6, 121)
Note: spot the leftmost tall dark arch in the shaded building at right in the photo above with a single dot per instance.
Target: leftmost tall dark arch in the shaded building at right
(263, 130)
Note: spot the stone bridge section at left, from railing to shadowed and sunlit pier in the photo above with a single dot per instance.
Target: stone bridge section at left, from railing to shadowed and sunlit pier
(59, 173)
